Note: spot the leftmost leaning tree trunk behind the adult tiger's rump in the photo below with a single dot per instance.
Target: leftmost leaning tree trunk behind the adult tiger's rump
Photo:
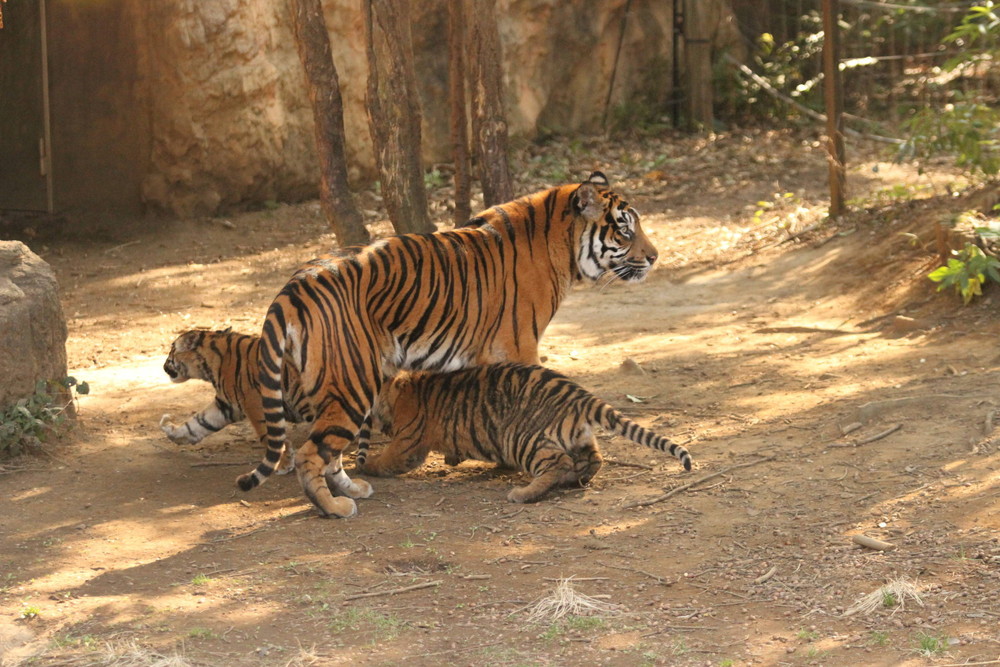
(313, 43)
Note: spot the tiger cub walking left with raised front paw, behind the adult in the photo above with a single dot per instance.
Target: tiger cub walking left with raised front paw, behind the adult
(230, 363)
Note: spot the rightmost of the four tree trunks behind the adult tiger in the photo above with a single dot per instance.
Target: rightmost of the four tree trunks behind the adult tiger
(489, 123)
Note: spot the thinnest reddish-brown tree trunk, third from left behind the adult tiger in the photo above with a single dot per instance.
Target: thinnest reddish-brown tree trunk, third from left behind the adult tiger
(459, 117)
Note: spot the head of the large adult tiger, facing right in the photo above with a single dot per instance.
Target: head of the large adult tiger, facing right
(612, 240)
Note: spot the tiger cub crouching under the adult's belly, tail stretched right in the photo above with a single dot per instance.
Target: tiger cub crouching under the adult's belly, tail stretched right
(526, 417)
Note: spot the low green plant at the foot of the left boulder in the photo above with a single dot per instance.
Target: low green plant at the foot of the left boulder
(25, 423)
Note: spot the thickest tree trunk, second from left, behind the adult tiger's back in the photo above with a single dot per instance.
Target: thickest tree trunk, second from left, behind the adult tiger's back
(394, 115)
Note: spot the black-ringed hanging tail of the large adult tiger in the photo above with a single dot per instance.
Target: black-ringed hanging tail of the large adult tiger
(271, 358)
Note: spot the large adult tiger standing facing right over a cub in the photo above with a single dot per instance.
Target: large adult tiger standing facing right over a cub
(470, 296)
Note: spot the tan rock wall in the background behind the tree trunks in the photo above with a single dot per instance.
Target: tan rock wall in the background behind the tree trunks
(229, 115)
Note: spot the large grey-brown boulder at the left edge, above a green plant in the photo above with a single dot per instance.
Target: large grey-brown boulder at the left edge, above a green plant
(33, 344)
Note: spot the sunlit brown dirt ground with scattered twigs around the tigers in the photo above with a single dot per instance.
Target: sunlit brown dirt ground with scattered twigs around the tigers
(758, 352)
